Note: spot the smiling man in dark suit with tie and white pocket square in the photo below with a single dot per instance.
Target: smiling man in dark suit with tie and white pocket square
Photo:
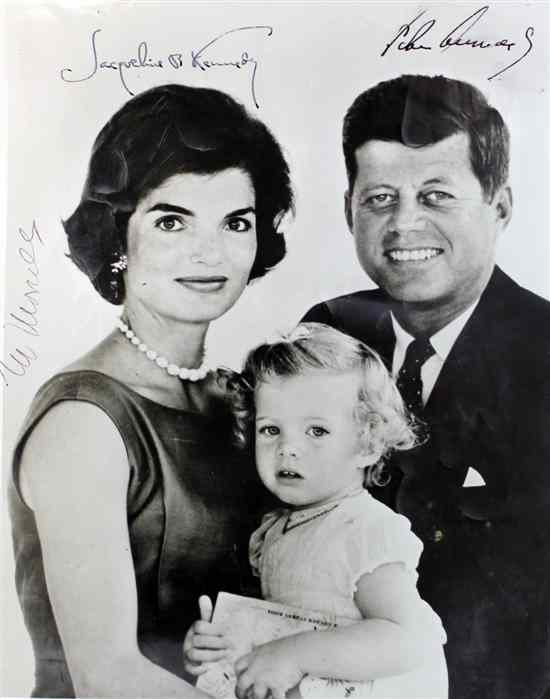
(427, 164)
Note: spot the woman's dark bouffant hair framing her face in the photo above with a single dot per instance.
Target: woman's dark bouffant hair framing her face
(165, 131)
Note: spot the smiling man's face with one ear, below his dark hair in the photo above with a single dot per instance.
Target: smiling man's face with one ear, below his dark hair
(423, 228)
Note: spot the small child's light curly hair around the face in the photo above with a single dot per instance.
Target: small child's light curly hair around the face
(383, 422)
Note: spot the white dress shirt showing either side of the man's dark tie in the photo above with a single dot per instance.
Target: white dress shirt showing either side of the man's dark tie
(442, 342)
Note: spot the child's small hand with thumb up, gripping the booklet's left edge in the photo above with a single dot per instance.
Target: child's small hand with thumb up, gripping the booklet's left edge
(205, 642)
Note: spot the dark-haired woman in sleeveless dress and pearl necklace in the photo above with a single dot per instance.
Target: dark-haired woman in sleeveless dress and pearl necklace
(127, 498)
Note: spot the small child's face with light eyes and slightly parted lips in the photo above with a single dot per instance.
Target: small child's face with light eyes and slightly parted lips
(307, 441)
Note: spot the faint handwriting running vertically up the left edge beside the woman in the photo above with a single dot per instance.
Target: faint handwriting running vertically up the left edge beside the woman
(25, 318)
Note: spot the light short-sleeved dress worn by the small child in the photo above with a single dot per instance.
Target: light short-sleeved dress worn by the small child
(313, 558)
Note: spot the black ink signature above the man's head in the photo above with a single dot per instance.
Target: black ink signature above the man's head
(412, 36)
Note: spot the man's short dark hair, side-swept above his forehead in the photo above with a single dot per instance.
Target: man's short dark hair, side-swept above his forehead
(418, 110)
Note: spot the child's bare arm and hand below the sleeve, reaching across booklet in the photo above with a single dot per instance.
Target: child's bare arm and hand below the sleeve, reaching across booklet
(392, 639)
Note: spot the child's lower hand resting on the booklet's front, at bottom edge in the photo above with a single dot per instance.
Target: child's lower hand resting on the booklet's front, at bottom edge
(270, 669)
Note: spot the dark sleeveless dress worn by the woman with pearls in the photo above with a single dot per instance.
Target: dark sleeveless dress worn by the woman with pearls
(192, 502)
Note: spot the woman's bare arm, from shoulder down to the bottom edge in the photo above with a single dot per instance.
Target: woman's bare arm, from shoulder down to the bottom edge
(75, 473)
